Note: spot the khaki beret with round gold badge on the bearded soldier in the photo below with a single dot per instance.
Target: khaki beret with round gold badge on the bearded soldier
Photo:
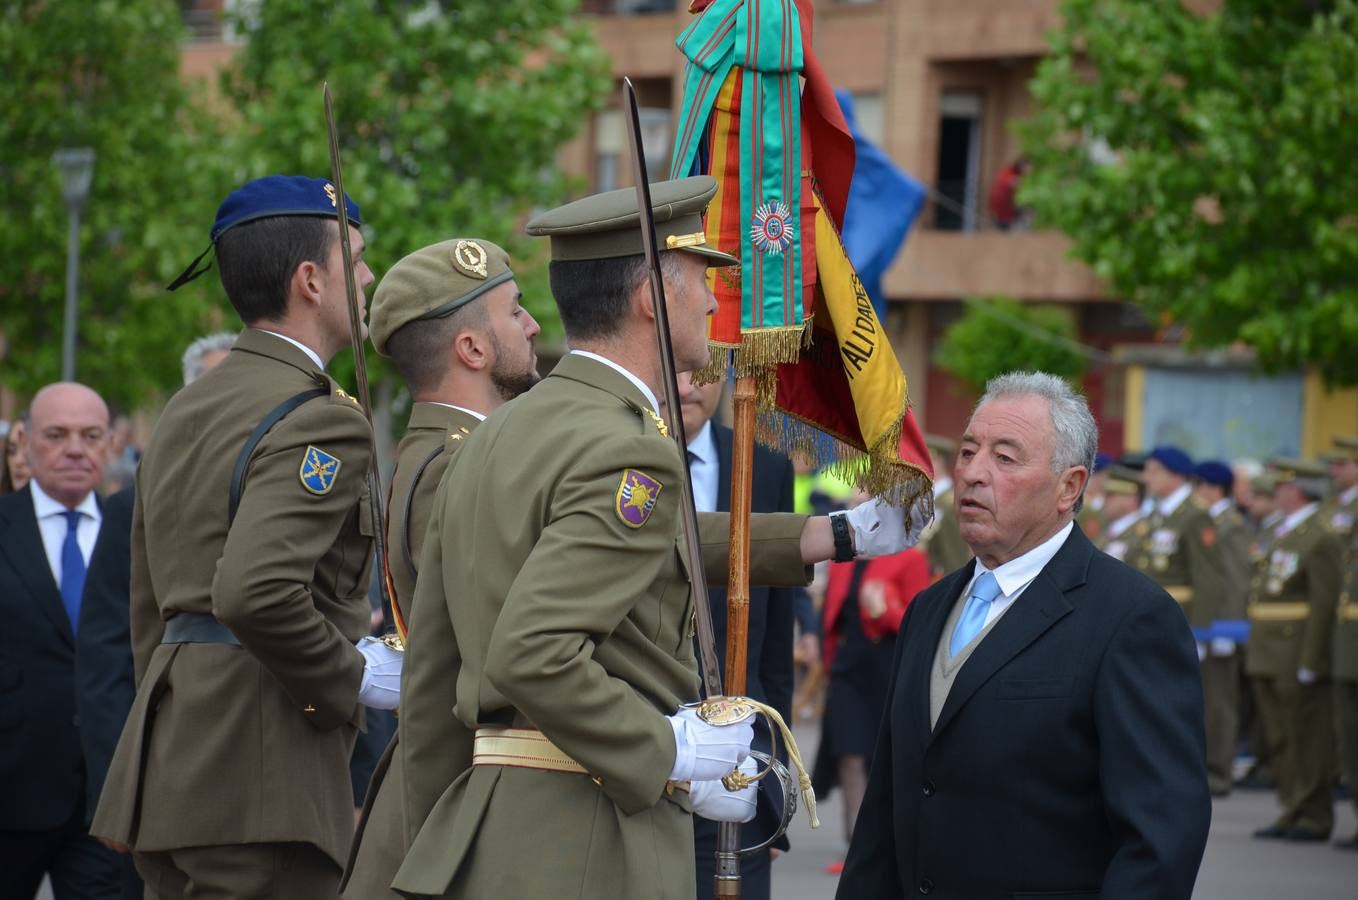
(434, 283)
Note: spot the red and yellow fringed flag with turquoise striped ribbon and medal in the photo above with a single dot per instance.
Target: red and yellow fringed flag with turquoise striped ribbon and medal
(795, 313)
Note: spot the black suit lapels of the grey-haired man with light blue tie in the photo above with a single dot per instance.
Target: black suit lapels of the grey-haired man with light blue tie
(1037, 610)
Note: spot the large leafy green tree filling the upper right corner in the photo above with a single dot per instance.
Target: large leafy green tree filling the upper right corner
(1204, 166)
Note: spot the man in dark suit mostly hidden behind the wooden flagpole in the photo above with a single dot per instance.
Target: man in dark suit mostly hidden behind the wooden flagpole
(772, 613)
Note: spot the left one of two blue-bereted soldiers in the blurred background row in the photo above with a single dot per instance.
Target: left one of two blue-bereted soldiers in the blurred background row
(1178, 548)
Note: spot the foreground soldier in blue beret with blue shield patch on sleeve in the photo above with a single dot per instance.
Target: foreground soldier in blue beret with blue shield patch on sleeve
(251, 564)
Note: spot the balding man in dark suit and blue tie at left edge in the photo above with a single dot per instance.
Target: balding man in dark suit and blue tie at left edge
(48, 533)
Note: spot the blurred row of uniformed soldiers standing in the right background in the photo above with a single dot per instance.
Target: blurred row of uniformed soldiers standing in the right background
(1270, 593)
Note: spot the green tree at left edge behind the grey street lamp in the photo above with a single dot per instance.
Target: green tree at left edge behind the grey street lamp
(105, 77)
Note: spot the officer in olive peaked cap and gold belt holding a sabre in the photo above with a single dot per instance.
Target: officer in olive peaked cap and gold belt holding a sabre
(553, 614)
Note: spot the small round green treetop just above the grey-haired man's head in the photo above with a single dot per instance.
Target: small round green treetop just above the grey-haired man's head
(999, 336)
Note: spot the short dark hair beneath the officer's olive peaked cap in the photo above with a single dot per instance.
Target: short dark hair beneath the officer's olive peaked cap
(593, 294)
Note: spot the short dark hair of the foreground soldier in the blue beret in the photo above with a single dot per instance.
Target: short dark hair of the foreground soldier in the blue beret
(257, 261)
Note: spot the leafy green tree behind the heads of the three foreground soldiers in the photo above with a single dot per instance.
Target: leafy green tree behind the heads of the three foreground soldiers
(450, 115)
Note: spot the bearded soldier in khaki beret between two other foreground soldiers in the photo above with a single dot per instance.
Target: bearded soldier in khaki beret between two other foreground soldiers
(449, 317)
